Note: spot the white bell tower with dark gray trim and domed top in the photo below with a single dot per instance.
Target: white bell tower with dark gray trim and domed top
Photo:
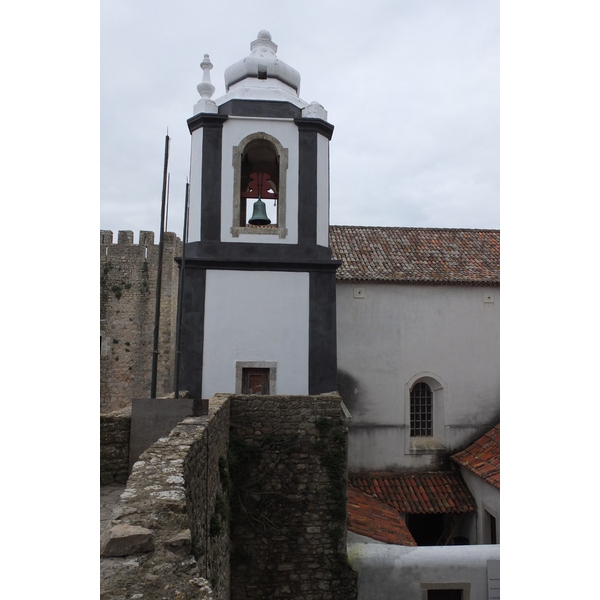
(258, 306)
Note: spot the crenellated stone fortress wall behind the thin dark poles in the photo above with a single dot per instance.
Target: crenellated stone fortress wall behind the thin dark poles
(128, 274)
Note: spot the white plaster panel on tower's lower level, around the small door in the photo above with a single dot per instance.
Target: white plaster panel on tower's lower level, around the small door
(256, 316)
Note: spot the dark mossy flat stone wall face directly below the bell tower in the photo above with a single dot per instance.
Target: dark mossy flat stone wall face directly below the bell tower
(288, 459)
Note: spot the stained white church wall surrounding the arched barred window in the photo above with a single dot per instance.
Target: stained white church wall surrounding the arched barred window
(396, 332)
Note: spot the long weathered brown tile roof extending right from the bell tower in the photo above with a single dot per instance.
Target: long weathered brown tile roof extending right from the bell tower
(416, 255)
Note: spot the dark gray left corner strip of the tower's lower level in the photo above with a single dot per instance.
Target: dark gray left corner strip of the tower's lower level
(192, 330)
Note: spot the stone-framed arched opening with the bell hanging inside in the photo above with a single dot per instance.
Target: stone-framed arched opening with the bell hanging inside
(260, 171)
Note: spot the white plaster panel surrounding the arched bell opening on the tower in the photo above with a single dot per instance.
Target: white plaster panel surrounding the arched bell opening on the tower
(235, 129)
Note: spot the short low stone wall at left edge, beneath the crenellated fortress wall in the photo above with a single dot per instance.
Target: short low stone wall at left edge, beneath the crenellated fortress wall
(115, 430)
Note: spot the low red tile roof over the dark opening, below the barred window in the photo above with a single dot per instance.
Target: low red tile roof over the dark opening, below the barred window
(431, 492)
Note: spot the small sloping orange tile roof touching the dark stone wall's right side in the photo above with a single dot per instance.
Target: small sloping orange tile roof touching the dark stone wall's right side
(375, 519)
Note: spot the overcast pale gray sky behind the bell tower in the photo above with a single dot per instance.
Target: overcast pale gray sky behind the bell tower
(412, 88)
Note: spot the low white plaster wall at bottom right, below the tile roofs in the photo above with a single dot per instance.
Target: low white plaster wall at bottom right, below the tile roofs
(388, 572)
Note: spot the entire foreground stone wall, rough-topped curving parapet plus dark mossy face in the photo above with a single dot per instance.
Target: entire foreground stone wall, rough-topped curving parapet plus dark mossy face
(250, 499)
